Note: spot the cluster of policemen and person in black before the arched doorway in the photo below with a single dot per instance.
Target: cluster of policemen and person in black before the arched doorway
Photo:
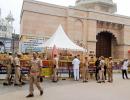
(102, 68)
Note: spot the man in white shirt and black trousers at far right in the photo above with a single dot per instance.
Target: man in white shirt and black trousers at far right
(125, 68)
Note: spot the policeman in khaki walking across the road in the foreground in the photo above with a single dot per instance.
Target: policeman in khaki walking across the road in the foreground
(36, 63)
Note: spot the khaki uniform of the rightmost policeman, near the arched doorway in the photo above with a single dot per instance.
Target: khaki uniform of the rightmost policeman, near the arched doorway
(110, 71)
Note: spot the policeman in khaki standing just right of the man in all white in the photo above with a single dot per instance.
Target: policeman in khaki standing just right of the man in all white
(85, 70)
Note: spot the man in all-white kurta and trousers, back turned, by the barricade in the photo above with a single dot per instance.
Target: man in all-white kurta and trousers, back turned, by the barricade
(76, 63)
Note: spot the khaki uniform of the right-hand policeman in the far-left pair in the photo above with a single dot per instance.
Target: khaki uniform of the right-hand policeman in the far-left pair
(17, 70)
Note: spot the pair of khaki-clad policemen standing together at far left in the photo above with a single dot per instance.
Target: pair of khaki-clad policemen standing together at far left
(13, 66)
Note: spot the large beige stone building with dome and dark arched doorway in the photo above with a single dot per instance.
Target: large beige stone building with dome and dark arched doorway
(91, 23)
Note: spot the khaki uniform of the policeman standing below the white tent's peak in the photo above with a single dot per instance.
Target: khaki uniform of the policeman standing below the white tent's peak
(55, 69)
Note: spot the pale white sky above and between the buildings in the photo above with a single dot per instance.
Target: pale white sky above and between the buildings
(15, 6)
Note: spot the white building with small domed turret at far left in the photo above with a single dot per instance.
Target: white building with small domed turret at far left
(6, 30)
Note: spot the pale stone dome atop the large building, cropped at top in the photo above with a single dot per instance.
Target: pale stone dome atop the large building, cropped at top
(97, 5)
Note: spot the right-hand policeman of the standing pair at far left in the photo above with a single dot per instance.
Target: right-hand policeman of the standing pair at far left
(17, 70)
